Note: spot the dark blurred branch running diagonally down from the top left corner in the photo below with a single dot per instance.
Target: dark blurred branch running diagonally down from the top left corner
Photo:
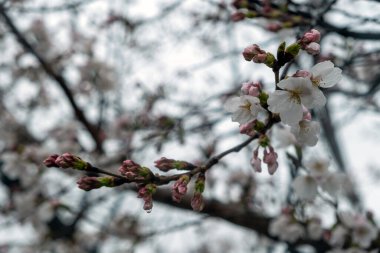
(57, 77)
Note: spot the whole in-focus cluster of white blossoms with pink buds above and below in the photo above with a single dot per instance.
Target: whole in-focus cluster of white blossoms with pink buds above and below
(291, 101)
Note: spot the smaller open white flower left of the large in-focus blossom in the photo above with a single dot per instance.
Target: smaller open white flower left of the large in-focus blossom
(244, 109)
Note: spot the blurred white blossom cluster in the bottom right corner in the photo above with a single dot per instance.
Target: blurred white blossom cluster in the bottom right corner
(355, 233)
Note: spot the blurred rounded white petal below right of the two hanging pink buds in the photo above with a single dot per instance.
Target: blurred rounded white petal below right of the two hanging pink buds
(305, 187)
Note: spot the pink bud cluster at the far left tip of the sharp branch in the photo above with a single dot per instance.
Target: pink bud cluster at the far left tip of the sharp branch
(65, 161)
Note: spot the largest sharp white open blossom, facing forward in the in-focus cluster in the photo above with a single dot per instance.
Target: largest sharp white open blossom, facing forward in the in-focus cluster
(297, 91)
